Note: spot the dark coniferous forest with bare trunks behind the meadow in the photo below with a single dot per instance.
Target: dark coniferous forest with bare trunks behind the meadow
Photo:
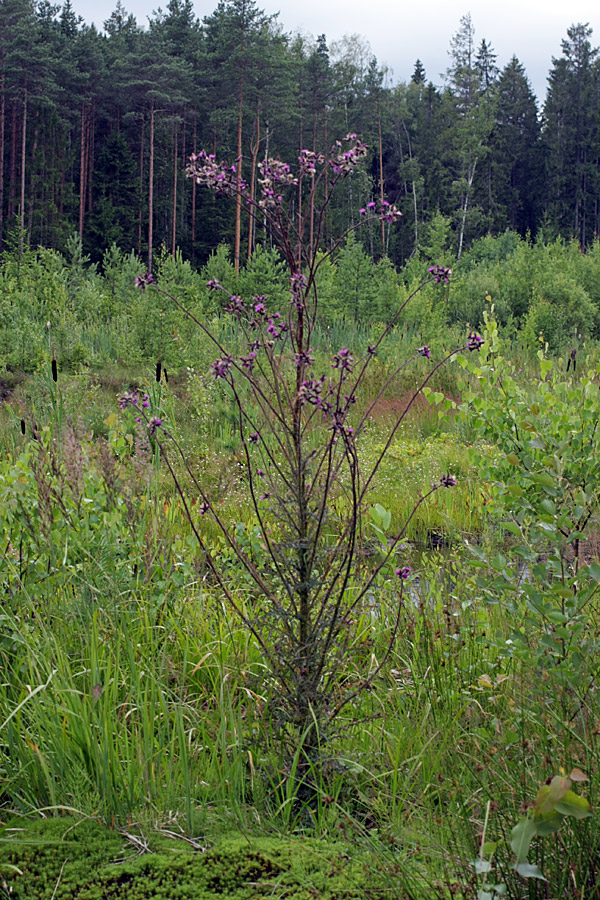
(96, 129)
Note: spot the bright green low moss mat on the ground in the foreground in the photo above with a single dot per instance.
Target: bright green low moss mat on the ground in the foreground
(62, 859)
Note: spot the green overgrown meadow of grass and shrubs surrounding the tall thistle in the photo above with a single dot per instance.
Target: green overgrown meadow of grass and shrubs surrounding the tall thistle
(144, 747)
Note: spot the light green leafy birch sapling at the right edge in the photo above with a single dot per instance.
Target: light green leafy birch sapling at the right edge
(545, 477)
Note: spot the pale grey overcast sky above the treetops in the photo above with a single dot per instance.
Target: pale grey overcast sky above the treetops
(400, 33)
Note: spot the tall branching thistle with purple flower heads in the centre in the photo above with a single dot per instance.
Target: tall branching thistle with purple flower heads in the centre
(300, 428)
